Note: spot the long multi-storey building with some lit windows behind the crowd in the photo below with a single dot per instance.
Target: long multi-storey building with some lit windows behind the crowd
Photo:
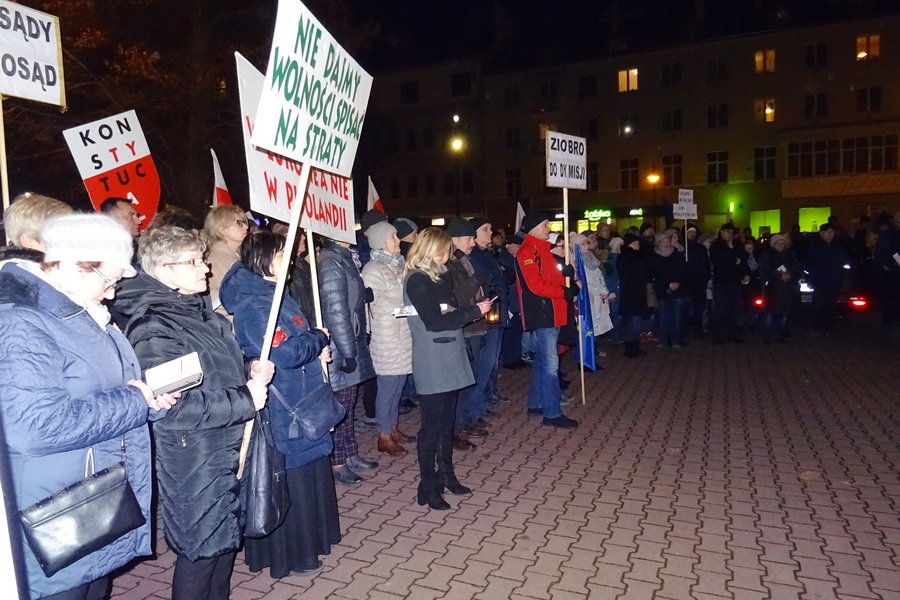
(778, 128)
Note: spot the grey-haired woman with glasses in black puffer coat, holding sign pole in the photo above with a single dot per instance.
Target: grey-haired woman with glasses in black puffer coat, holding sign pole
(197, 443)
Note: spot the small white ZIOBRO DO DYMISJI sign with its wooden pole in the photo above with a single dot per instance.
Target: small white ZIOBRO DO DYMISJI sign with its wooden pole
(567, 167)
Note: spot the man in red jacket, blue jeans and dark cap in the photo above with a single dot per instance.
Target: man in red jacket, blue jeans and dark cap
(543, 295)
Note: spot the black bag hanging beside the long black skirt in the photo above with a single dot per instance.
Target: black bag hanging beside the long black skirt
(264, 491)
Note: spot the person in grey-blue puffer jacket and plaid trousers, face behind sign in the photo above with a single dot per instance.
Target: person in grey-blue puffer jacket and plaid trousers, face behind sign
(343, 296)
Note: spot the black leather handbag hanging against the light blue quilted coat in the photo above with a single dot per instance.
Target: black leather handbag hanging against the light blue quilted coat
(82, 518)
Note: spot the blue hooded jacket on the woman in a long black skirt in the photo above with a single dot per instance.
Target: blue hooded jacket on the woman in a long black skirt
(295, 352)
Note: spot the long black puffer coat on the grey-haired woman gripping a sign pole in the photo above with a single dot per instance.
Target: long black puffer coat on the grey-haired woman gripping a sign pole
(197, 443)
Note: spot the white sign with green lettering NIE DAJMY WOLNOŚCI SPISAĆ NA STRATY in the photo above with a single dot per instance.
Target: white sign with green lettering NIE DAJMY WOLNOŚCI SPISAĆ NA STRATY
(315, 94)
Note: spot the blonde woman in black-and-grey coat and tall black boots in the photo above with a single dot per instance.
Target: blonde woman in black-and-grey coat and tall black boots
(440, 364)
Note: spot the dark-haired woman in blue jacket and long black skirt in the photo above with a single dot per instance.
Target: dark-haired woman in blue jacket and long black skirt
(311, 526)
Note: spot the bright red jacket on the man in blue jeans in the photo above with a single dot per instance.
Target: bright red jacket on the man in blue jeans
(540, 279)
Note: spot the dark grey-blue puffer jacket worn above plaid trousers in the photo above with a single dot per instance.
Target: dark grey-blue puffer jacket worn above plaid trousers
(343, 296)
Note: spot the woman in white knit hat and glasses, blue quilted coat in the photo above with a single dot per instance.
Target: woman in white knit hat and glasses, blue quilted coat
(72, 390)
